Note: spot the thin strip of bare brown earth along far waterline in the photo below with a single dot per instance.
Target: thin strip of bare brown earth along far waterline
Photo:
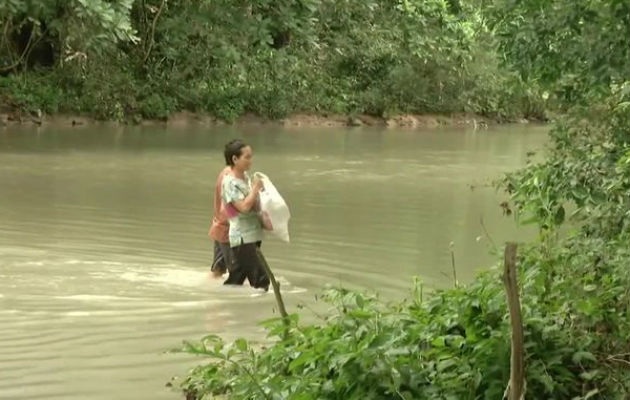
(188, 119)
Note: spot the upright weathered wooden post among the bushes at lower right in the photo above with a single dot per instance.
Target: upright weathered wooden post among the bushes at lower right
(516, 386)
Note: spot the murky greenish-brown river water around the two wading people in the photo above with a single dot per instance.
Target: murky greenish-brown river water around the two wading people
(104, 254)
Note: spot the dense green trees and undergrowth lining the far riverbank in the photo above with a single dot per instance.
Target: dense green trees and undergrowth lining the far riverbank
(123, 59)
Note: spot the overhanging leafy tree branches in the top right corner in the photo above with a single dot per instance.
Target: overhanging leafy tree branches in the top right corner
(573, 48)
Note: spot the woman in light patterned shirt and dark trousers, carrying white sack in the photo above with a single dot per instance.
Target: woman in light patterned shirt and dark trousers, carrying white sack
(240, 201)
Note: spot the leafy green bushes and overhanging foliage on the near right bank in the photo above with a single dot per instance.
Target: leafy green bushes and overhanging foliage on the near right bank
(575, 288)
